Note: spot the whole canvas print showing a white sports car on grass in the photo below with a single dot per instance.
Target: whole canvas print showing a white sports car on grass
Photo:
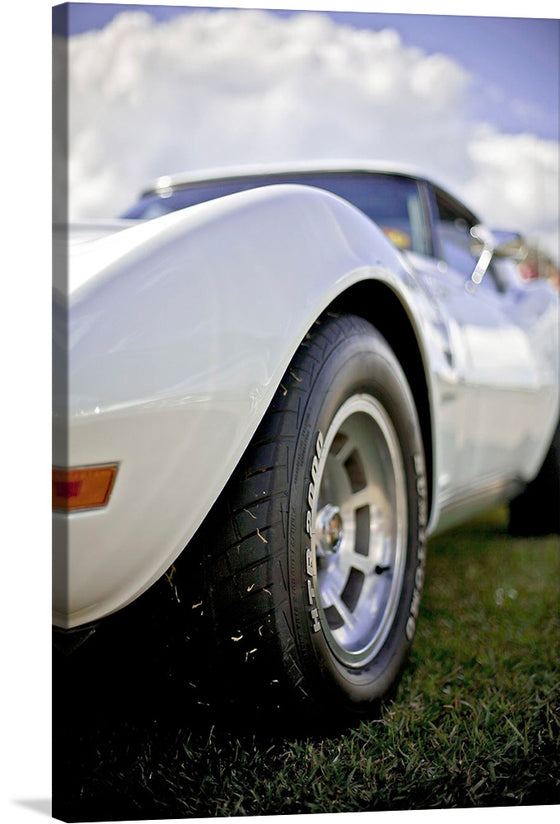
(306, 449)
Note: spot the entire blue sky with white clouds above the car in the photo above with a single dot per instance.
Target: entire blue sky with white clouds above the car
(470, 101)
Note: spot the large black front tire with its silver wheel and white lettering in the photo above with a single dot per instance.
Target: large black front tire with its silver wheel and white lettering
(275, 637)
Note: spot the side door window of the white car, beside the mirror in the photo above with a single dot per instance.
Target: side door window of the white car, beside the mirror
(454, 223)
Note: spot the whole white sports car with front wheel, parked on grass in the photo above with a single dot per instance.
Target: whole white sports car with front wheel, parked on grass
(322, 366)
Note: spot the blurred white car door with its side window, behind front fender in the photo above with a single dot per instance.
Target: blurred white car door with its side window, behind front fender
(503, 388)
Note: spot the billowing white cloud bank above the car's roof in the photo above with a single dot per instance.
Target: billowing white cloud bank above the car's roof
(216, 88)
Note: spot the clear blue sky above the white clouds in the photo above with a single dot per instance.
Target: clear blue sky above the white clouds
(514, 62)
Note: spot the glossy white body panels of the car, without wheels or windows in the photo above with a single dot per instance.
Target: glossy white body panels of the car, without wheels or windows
(180, 330)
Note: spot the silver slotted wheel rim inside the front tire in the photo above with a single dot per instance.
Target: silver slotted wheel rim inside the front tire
(360, 537)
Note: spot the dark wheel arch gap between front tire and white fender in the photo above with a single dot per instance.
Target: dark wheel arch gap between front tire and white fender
(378, 303)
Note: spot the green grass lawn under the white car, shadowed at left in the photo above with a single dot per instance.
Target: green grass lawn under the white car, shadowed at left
(476, 720)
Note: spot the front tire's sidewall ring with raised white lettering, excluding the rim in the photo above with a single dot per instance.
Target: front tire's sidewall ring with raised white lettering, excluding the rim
(360, 364)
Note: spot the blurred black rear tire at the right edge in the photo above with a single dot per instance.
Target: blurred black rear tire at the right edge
(537, 510)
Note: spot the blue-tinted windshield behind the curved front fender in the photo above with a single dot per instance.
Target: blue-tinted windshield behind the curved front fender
(392, 201)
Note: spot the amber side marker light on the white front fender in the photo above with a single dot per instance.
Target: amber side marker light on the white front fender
(84, 487)
